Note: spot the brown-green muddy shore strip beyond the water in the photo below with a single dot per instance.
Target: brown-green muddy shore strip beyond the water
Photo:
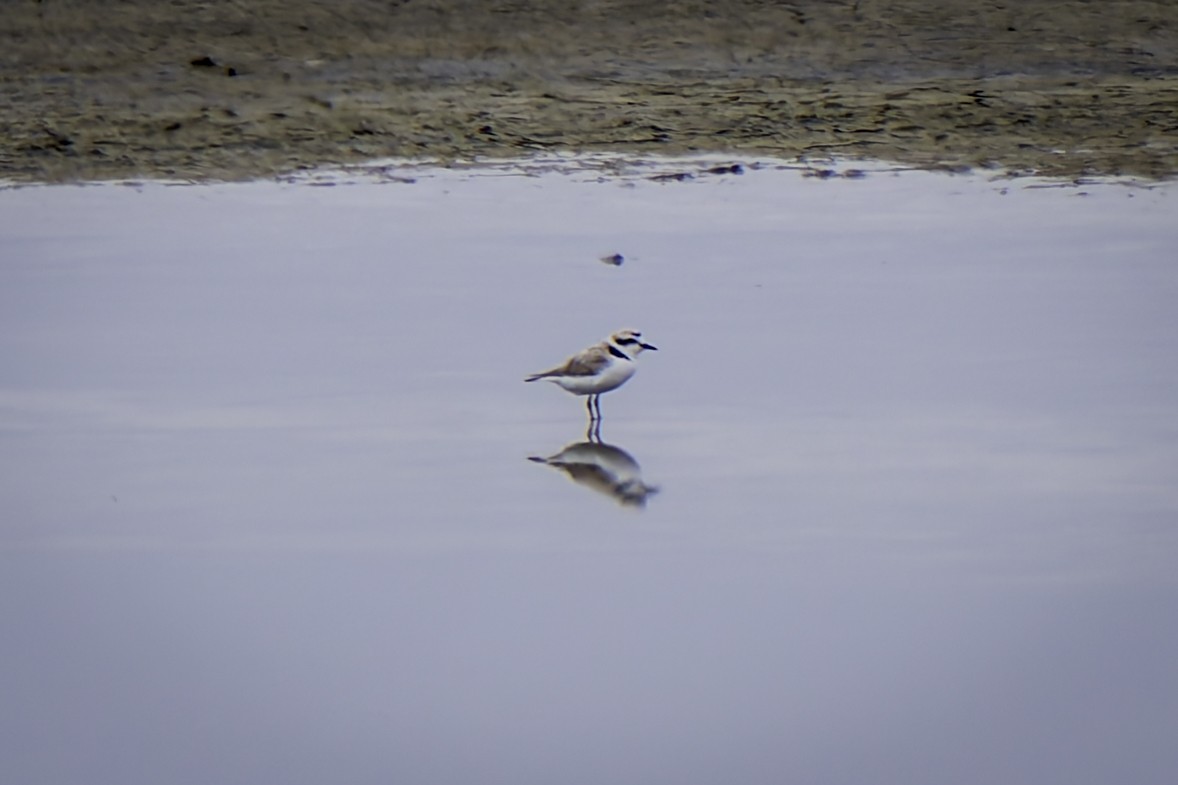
(144, 89)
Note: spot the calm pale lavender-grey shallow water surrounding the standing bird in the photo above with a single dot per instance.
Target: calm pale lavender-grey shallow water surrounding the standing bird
(269, 513)
